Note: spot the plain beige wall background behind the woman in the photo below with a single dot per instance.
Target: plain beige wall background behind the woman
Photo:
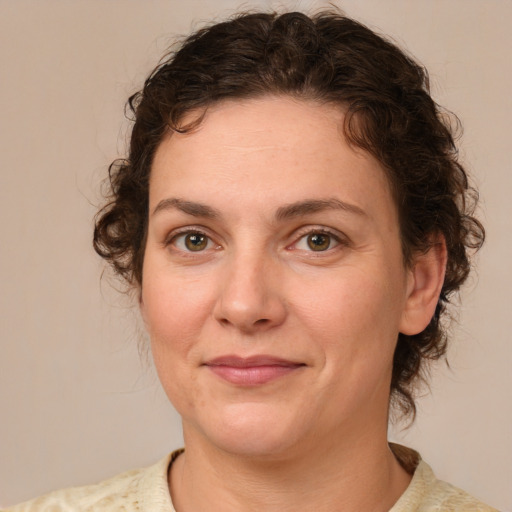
(76, 404)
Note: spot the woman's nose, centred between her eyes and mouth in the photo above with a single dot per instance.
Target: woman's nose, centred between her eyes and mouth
(251, 297)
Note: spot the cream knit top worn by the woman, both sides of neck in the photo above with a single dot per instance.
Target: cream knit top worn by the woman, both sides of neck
(147, 490)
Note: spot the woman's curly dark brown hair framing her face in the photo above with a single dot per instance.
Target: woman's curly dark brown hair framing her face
(390, 114)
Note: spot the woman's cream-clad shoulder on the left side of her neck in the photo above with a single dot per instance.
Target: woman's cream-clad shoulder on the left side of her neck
(136, 490)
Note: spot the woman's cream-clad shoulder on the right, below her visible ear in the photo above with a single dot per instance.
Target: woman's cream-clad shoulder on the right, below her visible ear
(428, 494)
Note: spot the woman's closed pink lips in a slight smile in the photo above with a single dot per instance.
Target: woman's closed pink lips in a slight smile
(251, 371)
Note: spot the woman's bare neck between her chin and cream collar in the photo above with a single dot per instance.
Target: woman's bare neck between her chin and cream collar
(354, 474)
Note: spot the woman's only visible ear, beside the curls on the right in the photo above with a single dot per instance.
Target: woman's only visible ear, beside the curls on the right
(425, 281)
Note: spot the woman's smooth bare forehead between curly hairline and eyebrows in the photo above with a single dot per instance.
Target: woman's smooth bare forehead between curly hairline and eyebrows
(274, 148)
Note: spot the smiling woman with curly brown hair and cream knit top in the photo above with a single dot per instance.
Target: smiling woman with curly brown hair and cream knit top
(294, 219)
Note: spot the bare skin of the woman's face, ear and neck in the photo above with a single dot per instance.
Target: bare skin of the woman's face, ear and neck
(256, 182)
